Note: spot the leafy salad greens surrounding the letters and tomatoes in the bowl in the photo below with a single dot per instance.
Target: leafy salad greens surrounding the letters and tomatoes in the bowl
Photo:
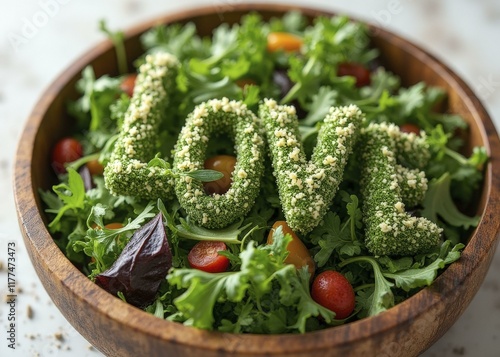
(260, 293)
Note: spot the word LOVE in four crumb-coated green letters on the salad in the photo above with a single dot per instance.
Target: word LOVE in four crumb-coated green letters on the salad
(306, 187)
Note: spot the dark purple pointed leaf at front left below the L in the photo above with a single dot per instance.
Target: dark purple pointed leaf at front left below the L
(142, 265)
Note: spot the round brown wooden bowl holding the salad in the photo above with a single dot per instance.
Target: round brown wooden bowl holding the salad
(119, 329)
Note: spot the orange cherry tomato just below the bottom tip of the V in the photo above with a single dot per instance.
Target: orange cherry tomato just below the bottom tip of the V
(299, 255)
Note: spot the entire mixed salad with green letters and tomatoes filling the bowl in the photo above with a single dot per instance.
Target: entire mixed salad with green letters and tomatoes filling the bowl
(272, 178)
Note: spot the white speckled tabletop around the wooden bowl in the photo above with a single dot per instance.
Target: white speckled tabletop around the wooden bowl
(462, 33)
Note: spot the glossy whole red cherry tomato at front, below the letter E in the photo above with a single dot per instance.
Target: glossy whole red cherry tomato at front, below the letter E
(333, 291)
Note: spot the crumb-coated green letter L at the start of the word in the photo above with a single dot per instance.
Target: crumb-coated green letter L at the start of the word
(128, 172)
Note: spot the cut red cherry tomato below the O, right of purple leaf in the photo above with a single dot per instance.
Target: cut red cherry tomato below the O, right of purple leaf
(205, 256)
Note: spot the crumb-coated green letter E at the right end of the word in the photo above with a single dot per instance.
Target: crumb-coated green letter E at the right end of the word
(387, 187)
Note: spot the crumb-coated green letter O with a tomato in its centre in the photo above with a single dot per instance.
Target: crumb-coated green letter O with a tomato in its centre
(216, 116)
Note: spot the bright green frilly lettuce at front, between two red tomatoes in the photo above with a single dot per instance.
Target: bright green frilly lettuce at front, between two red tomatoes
(262, 273)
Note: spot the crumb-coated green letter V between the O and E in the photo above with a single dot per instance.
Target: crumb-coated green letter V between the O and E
(307, 188)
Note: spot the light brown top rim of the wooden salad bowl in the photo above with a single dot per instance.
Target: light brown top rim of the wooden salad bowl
(40, 242)
